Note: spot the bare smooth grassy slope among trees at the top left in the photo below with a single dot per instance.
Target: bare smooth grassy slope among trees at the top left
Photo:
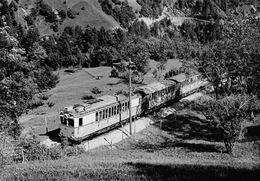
(92, 15)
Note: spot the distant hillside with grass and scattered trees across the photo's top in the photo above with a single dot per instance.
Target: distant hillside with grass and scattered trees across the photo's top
(112, 14)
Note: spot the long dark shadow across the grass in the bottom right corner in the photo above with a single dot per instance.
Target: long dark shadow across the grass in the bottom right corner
(194, 172)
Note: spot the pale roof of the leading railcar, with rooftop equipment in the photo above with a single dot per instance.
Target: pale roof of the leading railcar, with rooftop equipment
(98, 103)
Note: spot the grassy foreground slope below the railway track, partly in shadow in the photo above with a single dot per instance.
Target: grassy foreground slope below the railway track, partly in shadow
(152, 154)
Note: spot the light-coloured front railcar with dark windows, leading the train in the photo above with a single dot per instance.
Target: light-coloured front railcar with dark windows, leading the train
(83, 120)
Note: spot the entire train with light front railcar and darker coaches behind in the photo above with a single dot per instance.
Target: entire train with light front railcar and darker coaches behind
(98, 115)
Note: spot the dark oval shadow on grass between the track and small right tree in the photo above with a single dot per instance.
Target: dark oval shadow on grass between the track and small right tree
(190, 127)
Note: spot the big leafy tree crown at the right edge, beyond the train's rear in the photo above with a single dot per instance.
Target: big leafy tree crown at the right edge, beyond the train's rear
(231, 64)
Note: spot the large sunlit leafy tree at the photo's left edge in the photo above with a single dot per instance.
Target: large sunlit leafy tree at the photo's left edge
(21, 76)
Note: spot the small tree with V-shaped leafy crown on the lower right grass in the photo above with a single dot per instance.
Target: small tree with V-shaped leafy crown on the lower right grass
(227, 116)
